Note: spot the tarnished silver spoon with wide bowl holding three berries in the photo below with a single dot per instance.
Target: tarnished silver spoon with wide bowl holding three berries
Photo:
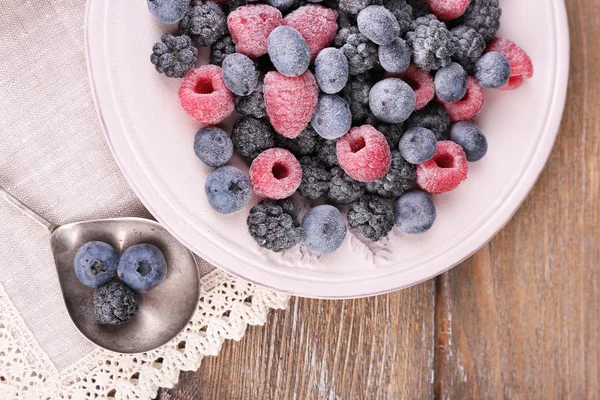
(164, 311)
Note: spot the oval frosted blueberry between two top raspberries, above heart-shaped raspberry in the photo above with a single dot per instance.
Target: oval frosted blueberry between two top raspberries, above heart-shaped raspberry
(288, 51)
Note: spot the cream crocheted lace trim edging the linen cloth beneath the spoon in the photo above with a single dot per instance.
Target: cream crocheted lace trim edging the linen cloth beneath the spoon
(227, 306)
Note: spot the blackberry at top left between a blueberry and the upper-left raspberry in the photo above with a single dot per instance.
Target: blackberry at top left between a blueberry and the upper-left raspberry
(204, 22)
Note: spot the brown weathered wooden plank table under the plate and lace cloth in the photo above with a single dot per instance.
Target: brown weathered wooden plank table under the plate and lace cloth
(518, 320)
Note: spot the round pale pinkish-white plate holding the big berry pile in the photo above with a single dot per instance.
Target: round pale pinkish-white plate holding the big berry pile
(151, 138)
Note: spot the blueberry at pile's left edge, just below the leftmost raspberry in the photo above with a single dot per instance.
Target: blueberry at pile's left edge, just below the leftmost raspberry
(213, 146)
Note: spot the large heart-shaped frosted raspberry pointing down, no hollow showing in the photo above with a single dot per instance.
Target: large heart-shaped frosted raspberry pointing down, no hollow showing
(290, 101)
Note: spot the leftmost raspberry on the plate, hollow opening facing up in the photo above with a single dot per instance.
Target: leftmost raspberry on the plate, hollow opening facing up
(204, 96)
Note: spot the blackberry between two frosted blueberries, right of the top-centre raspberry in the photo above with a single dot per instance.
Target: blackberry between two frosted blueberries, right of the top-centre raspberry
(360, 51)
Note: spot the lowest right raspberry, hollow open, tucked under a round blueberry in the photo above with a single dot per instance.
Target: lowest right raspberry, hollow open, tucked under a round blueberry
(445, 171)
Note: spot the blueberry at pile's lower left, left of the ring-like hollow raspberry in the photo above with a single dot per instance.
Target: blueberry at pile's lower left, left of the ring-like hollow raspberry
(227, 189)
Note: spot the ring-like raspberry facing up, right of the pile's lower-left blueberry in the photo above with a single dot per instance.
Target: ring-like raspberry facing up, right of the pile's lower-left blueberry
(275, 174)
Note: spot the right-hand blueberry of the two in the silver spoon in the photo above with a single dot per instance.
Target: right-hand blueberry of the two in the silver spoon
(142, 267)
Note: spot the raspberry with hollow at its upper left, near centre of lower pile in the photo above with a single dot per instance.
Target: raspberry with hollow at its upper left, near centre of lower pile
(364, 154)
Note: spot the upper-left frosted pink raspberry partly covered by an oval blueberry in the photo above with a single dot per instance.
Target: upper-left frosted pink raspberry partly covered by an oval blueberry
(250, 27)
